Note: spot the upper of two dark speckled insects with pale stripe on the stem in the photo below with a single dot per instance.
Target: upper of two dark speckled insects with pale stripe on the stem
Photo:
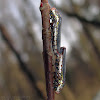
(56, 24)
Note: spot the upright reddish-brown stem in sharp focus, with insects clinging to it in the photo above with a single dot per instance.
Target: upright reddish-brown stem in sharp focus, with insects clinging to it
(47, 50)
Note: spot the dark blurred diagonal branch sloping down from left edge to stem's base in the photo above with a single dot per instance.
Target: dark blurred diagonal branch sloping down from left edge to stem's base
(23, 66)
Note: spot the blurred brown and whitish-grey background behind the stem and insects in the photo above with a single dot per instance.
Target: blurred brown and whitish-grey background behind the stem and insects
(21, 62)
